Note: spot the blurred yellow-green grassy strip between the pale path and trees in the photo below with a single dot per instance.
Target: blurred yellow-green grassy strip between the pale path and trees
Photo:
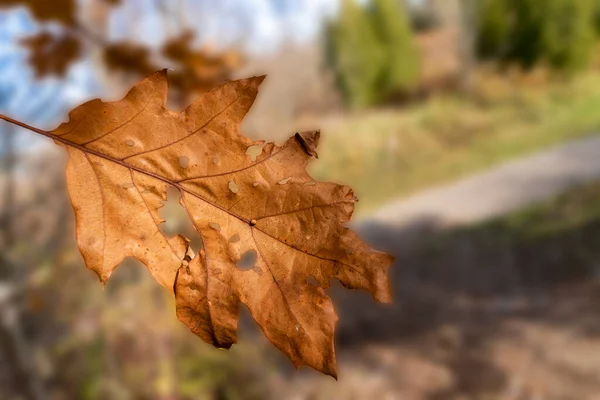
(384, 154)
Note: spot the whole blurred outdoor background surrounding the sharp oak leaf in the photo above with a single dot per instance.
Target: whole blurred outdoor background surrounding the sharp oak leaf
(469, 129)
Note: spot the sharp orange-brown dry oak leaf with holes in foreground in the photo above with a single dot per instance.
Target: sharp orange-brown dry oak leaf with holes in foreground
(124, 155)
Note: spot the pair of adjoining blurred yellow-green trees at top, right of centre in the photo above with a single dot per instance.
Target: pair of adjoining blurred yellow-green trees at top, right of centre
(372, 52)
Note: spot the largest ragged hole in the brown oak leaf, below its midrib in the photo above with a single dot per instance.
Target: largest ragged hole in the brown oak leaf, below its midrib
(177, 220)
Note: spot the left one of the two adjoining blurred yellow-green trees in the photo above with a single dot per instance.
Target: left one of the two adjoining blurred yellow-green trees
(356, 54)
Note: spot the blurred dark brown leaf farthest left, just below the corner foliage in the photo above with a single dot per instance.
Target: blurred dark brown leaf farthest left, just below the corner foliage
(51, 55)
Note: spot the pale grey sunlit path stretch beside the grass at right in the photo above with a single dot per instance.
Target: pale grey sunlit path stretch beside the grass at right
(498, 191)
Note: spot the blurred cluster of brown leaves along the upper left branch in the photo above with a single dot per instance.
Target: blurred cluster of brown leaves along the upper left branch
(196, 70)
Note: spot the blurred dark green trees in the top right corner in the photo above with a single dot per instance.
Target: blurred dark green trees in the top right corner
(560, 34)
